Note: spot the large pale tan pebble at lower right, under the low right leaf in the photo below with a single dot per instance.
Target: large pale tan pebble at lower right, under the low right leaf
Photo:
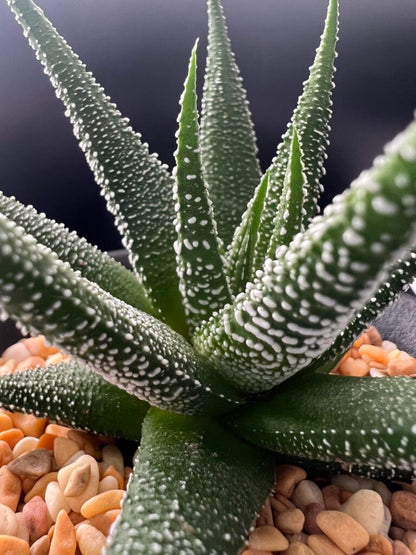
(366, 507)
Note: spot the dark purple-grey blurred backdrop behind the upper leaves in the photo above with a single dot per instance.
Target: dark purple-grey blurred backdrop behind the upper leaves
(139, 49)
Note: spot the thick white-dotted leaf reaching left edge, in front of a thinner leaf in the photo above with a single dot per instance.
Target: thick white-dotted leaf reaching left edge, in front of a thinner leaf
(128, 347)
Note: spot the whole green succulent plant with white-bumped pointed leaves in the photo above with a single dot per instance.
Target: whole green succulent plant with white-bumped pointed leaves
(215, 349)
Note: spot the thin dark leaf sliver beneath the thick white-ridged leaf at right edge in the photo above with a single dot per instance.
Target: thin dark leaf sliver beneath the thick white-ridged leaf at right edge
(402, 273)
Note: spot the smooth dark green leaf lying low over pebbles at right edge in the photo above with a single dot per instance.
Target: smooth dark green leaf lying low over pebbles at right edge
(353, 421)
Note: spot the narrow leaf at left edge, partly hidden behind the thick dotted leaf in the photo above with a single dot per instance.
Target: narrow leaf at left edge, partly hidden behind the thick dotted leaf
(87, 259)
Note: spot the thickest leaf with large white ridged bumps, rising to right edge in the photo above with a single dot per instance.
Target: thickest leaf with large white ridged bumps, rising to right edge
(294, 310)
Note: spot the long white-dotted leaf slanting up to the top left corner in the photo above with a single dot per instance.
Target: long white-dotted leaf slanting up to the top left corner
(132, 180)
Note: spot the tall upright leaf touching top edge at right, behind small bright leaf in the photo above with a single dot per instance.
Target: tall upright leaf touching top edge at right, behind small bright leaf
(311, 118)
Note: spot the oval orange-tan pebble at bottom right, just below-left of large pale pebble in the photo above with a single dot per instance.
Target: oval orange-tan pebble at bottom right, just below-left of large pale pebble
(343, 530)
